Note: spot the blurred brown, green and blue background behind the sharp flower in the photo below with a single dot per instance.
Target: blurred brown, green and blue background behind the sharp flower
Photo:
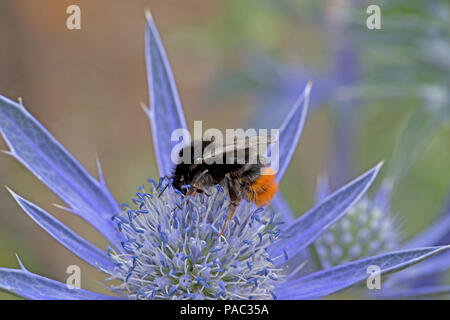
(377, 95)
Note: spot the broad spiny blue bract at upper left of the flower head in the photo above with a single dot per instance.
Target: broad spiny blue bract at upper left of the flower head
(32, 145)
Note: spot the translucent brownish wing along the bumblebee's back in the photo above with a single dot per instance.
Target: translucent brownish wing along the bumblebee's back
(245, 143)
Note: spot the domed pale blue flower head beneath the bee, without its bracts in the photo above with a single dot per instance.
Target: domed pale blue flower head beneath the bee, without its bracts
(173, 250)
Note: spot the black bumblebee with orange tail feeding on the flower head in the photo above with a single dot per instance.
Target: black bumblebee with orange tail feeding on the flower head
(236, 167)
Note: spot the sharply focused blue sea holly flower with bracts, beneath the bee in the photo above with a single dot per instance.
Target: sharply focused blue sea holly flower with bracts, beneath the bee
(167, 247)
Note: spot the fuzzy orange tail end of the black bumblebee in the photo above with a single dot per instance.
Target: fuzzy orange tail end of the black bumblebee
(262, 190)
